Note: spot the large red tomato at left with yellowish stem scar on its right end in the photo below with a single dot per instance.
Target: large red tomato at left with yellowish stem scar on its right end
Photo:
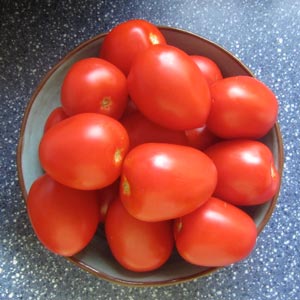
(85, 151)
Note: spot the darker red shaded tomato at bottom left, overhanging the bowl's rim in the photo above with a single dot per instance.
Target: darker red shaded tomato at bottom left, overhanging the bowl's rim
(64, 219)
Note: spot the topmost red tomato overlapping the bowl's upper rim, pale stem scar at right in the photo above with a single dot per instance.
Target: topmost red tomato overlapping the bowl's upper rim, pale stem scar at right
(126, 40)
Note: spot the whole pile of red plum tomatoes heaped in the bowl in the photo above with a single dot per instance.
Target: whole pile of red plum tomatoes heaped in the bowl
(156, 145)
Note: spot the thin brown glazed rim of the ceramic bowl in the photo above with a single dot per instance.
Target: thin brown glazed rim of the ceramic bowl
(75, 260)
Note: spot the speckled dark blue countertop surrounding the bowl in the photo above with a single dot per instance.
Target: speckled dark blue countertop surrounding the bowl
(35, 35)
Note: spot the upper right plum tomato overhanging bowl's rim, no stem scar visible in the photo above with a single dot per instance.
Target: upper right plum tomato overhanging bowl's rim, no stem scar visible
(242, 107)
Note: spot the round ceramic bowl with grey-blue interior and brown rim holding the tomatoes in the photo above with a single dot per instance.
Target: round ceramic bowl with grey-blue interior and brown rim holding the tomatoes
(96, 257)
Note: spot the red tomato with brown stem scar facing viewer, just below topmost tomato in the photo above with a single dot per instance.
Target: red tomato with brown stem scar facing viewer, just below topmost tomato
(94, 85)
